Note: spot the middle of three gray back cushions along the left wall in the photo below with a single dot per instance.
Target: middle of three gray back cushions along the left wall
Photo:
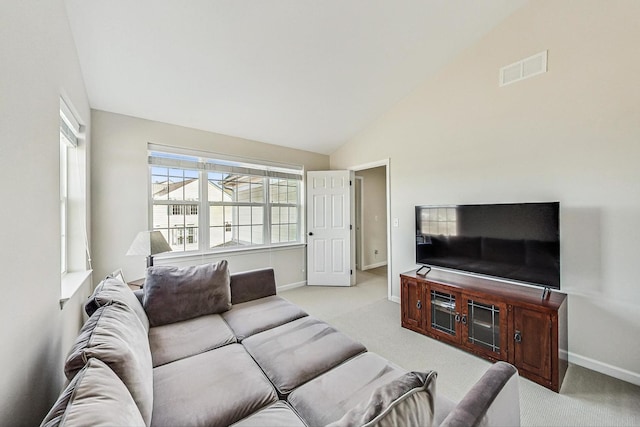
(115, 335)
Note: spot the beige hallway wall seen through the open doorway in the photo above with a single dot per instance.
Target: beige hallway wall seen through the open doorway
(374, 217)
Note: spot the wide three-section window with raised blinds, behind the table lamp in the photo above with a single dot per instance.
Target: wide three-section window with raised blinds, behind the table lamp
(208, 204)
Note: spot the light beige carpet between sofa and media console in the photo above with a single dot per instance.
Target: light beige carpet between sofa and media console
(587, 398)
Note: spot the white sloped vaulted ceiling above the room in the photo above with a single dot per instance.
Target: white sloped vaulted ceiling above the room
(308, 74)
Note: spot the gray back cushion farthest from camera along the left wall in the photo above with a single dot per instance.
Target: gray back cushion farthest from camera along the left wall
(113, 289)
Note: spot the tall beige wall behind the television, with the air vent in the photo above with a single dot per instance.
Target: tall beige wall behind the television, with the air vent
(571, 135)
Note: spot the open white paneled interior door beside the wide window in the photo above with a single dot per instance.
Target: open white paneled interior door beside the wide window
(329, 228)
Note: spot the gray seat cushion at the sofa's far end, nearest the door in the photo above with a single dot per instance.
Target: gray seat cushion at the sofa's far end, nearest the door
(255, 316)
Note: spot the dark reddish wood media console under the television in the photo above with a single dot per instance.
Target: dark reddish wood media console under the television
(492, 319)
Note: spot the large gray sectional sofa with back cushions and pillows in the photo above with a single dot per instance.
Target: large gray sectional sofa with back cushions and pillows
(200, 347)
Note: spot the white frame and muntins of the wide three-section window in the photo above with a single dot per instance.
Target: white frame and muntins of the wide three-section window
(205, 163)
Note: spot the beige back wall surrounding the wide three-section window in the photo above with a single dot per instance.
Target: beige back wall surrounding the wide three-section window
(120, 194)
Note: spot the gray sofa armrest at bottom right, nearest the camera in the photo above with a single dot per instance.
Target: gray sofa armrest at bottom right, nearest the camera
(493, 401)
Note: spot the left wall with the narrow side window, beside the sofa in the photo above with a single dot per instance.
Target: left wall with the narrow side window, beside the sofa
(38, 65)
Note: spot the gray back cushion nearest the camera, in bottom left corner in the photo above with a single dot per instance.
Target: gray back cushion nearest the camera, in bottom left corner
(96, 397)
